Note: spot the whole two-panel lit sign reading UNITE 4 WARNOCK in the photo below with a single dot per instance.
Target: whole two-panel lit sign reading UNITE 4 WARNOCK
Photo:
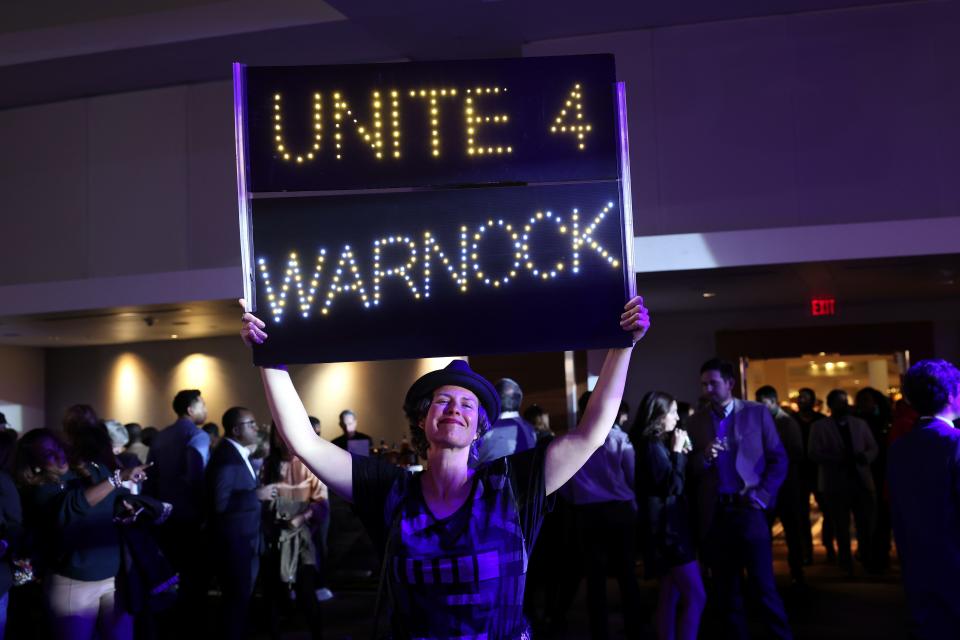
(422, 209)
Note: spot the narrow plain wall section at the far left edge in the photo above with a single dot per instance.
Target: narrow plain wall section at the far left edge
(22, 386)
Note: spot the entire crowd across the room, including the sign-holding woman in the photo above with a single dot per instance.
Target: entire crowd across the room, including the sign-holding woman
(117, 531)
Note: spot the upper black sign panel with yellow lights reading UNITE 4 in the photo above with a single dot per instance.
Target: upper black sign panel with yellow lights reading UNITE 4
(436, 124)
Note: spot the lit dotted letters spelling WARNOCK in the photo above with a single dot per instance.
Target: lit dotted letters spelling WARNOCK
(347, 278)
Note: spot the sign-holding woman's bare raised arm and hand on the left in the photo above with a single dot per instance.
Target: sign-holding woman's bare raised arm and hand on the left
(327, 461)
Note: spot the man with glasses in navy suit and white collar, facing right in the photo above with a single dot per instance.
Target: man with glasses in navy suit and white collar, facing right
(233, 524)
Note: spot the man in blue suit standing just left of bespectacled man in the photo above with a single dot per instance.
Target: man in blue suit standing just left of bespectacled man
(179, 454)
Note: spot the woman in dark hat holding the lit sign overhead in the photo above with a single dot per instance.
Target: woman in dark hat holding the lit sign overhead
(456, 538)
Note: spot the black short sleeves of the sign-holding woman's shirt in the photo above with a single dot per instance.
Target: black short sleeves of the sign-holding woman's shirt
(373, 478)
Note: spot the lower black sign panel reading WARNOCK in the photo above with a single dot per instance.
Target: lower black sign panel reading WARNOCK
(430, 273)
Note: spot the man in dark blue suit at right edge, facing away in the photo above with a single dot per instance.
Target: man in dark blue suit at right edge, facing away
(923, 475)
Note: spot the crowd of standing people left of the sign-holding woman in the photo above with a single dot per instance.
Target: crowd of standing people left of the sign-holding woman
(115, 531)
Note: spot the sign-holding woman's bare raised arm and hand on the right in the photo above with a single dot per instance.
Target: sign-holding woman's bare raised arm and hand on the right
(569, 452)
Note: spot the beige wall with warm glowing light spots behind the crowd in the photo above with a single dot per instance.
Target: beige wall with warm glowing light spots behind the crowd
(137, 382)
